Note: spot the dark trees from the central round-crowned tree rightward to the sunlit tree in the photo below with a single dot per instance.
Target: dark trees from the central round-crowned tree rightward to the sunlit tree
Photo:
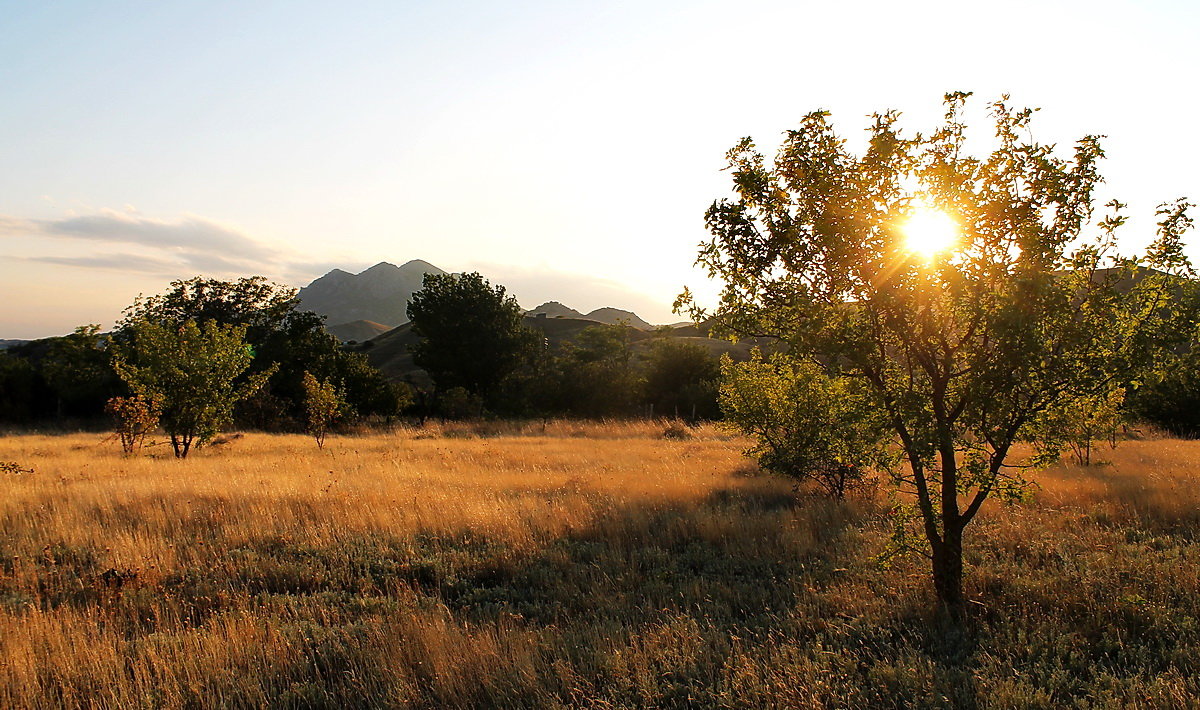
(483, 358)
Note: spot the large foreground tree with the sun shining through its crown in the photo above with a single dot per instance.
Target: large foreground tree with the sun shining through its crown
(968, 294)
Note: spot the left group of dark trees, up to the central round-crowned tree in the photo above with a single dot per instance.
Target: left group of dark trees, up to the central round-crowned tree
(199, 327)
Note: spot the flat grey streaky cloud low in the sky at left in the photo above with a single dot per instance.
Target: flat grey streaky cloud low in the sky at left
(172, 246)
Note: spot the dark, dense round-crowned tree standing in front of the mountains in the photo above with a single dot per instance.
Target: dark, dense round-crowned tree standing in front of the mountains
(473, 335)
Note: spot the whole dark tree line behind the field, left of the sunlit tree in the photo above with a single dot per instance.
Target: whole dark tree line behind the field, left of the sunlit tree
(250, 358)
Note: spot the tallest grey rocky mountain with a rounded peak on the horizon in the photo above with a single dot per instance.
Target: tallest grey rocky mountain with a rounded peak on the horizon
(380, 294)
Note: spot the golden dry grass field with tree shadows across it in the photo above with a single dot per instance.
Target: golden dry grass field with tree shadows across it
(571, 567)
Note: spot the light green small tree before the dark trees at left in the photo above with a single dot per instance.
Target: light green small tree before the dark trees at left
(193, 372)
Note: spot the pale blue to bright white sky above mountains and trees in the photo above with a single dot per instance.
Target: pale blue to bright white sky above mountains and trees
(566, 151)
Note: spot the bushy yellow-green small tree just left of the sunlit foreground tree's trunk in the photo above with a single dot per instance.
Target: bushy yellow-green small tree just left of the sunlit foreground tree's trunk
(806, 425)
